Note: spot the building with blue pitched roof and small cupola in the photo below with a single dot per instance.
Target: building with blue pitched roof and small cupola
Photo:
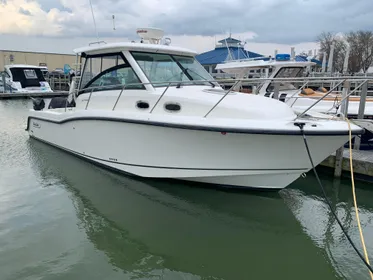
(226, 49)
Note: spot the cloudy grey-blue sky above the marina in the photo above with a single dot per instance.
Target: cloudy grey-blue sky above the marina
(265, 25)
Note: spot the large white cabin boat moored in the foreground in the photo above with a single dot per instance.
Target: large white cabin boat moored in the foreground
(152, 110)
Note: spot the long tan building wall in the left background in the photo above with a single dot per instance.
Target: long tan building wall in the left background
(52, 61)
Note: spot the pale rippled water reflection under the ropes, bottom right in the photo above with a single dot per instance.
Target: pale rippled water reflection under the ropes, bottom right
(308, 206)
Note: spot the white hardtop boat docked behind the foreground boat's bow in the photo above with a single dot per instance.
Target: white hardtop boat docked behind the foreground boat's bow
(282, 67)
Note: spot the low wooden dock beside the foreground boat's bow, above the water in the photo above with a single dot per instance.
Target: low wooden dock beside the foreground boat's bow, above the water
(362, 161)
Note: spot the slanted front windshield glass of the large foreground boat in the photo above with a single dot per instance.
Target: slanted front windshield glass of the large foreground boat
(161, 69)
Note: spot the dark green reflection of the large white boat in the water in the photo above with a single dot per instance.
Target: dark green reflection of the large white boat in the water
(152, 228)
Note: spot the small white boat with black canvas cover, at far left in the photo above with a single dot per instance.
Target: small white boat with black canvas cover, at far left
(24, 79)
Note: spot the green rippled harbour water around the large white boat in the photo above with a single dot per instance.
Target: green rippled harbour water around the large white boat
(64, 218)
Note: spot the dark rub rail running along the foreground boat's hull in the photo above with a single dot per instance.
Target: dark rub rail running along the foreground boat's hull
(200, 127)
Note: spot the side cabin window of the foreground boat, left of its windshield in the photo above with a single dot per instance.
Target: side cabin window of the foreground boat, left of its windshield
(109, 72)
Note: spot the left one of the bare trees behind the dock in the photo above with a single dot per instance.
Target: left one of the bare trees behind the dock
(326, 40)
